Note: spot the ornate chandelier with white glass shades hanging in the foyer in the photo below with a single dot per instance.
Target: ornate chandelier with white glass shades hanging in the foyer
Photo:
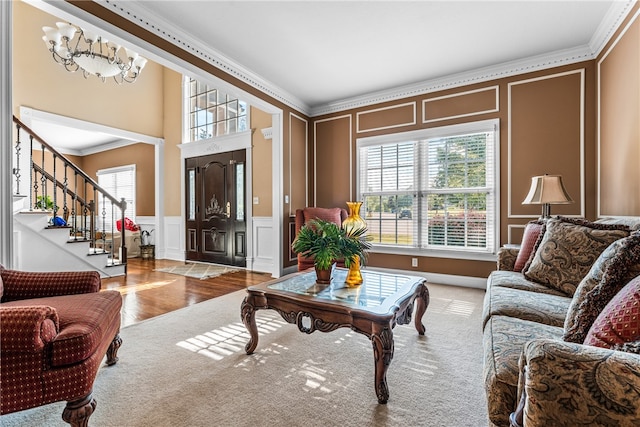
(78, 49)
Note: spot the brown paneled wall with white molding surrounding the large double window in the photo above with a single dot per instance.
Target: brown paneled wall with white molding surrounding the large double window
(546, 122)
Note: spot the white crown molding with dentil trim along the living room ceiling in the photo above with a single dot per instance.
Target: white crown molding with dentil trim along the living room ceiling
(145, 18)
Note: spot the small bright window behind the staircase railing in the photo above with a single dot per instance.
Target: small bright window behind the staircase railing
(120, 182)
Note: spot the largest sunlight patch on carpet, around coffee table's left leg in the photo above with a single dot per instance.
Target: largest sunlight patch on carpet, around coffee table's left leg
(227, 340)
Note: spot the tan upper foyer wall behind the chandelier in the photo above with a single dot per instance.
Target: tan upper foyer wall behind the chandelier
(40, 83)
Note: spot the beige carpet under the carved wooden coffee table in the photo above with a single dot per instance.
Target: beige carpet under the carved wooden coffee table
(188, 368)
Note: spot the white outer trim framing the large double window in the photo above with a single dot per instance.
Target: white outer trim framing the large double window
(442, 131)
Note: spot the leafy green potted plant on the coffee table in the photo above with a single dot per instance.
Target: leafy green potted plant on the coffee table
(326, 242)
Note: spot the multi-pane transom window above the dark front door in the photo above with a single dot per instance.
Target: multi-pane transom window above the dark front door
(210, 112)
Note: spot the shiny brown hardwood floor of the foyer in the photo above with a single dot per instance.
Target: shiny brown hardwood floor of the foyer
(147, 293)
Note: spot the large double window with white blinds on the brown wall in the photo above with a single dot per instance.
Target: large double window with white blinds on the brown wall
(433, 189)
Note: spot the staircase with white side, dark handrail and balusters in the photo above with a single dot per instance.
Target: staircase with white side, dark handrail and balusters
(55, 187)
